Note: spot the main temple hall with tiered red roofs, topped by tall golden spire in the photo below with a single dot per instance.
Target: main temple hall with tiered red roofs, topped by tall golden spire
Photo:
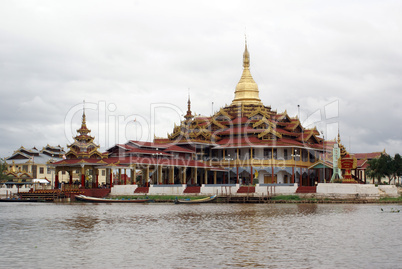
(252, 142)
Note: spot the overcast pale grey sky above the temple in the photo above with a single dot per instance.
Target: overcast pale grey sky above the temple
(341, 61)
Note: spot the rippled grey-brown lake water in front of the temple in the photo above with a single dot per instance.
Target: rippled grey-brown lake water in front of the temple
(78, 235)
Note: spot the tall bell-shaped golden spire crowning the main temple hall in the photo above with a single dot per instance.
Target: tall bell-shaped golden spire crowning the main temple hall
(246, 90)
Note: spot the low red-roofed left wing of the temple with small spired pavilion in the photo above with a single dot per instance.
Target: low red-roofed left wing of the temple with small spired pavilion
(140, 163)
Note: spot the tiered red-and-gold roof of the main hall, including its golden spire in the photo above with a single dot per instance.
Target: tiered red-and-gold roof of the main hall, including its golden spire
(246, 122)
